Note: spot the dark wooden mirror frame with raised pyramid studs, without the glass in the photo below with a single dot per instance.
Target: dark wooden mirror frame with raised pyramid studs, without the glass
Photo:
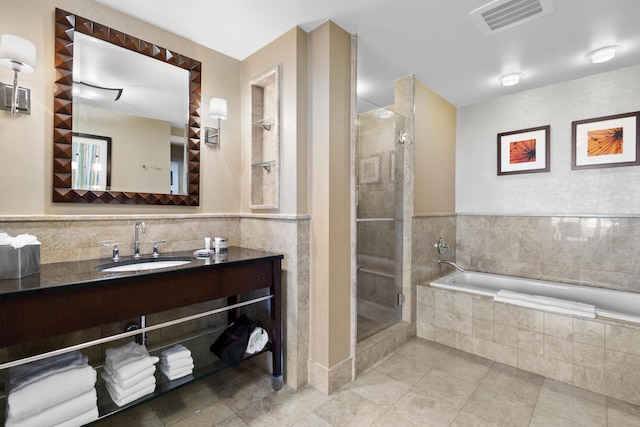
(65, 26)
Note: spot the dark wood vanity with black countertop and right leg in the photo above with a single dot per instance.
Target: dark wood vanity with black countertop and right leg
(68, 297)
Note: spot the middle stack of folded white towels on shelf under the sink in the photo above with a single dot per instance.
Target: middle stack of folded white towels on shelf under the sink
(129, 372)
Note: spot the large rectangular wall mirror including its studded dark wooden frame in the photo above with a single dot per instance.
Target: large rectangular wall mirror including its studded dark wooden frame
(101, 77)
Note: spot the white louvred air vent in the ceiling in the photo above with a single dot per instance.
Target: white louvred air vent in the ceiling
(500, 15)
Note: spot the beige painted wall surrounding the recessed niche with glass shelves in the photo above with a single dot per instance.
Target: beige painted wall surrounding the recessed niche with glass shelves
(289, 52)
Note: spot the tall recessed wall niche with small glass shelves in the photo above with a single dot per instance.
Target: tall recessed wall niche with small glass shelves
(265, 140)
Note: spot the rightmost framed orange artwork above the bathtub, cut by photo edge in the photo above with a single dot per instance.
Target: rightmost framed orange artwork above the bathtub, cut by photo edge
(605, 142)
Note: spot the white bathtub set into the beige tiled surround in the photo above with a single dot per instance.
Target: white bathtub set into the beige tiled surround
(612, 304)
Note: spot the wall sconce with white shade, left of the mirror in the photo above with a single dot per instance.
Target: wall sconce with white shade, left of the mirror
(18, 55)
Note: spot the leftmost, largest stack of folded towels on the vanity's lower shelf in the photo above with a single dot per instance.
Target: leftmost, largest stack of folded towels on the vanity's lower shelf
(59, 390)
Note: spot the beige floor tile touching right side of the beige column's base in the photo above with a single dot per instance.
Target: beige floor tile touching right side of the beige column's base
(378, 388)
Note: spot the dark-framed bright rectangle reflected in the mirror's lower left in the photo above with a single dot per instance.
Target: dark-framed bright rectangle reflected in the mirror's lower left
(91, 162)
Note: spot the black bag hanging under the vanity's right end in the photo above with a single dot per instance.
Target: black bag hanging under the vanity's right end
(230, 346)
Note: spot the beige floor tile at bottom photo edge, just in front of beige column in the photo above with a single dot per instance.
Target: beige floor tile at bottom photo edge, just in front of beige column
(349, 409)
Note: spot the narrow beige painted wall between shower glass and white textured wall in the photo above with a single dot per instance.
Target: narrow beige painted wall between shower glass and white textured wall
(435, 145)
